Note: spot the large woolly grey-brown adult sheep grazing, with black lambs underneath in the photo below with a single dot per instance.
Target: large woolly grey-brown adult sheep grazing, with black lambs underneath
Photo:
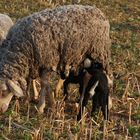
(52, 40)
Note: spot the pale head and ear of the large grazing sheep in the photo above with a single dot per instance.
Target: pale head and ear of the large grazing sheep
(8, 89)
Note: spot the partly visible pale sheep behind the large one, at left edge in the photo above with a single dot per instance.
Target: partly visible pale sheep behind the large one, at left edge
(5, 24)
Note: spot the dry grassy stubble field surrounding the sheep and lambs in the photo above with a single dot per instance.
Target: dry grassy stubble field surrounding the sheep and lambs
(124, 124)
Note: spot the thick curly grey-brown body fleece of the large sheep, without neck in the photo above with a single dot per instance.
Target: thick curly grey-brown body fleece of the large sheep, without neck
(62, 36)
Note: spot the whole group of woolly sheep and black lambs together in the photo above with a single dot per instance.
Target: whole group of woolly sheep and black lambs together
(72, 41)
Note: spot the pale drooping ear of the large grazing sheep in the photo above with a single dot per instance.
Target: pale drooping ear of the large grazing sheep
(15, 88)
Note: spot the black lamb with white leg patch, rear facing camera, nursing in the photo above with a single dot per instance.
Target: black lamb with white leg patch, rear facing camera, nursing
(97, 89)
